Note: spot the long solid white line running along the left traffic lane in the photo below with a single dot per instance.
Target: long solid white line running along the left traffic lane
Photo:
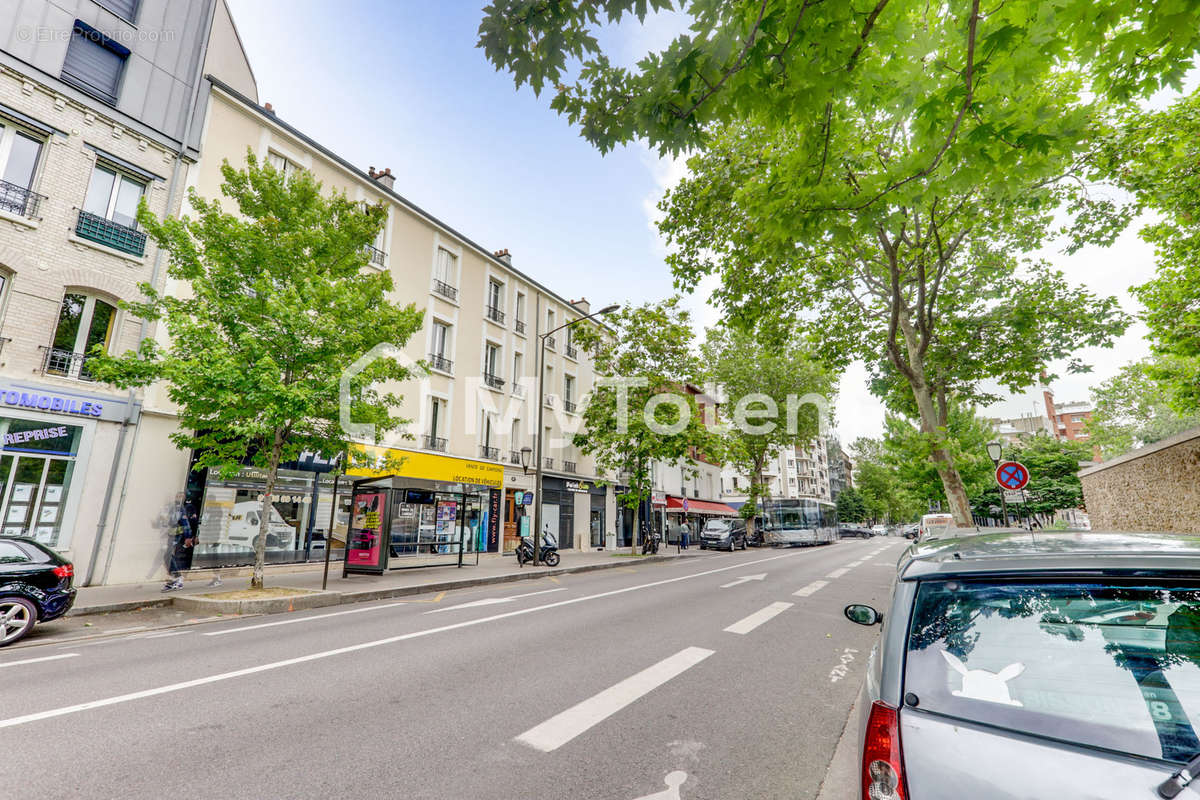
(356, 648)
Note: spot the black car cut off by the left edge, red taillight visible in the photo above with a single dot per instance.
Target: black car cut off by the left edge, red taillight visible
(35, 587)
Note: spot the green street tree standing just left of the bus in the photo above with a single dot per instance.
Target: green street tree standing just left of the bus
(763, 383)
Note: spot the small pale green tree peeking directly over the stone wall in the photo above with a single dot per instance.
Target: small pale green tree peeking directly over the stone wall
(1133, 410)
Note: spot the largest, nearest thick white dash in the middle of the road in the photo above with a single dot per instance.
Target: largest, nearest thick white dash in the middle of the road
(560, 730)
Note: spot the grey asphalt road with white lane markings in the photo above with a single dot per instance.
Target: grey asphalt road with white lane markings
(653, 682)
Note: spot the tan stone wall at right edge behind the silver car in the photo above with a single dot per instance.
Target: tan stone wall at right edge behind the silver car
(1154, 489)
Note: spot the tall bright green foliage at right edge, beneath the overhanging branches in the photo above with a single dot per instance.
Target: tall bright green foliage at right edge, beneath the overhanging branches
(1157, 157)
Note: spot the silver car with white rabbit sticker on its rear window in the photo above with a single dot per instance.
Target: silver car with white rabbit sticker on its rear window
(1073, 655)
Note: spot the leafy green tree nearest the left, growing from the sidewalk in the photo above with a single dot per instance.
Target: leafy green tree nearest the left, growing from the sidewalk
(279, 304)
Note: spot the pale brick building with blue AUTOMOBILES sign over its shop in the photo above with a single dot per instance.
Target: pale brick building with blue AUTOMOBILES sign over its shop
(97, 115)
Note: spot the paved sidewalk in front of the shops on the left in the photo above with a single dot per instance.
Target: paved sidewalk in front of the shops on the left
(493, 568)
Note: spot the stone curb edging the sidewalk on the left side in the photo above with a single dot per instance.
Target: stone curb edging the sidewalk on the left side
(323, 599)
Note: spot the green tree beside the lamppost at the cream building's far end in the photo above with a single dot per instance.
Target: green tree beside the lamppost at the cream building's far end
(640, 412)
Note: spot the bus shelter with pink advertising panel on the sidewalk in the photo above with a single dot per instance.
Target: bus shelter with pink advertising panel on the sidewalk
(399, 522)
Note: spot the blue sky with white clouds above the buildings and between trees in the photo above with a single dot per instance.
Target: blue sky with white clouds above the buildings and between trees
(400, 85)
